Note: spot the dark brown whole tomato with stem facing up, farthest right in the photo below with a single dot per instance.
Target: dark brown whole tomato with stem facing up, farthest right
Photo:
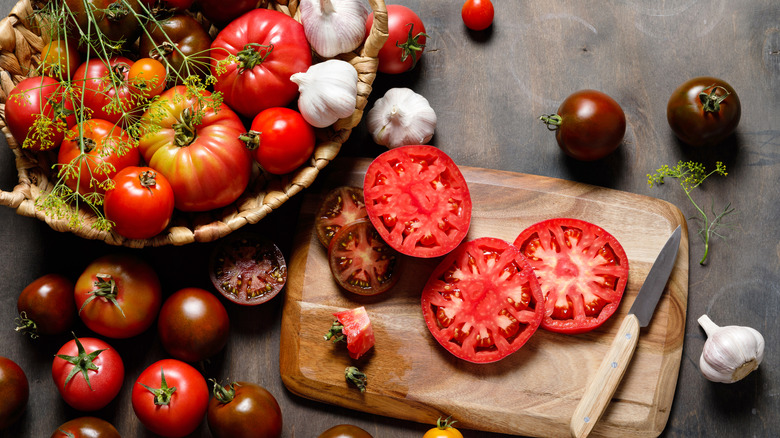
(703, 111)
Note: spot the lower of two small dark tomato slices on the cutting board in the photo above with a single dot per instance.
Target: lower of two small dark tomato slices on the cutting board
(361, 262)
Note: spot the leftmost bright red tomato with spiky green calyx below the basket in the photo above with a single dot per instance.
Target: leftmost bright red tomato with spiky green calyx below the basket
(88, 373)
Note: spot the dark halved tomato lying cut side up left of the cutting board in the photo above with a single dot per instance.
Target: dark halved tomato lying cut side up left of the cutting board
(247, 269)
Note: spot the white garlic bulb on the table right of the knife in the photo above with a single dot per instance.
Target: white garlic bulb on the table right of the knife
(731, 352)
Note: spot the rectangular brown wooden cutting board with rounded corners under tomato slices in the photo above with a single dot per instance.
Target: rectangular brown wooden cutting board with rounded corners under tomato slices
(532, 392)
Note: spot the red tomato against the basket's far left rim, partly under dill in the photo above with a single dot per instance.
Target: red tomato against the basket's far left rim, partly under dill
(36, 114)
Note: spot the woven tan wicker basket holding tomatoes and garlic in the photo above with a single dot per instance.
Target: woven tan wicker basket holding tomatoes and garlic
(20, 47)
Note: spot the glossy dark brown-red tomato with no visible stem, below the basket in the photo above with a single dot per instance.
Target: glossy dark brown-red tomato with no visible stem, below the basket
(193, 325)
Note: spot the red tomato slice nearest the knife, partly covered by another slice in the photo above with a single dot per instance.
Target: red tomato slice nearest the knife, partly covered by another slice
(582, 270)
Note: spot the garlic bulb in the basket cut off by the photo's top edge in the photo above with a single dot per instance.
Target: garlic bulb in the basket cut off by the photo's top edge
(334, 27)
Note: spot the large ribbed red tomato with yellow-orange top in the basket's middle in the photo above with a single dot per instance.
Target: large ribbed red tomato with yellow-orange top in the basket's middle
(197, 149)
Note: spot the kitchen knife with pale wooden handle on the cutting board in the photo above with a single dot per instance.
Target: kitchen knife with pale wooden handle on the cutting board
(602, 386)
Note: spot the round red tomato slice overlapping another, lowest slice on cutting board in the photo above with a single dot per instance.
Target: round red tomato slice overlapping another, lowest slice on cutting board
(483, 301)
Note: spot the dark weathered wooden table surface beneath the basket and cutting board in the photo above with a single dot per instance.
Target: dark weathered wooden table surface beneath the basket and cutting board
(488, 90)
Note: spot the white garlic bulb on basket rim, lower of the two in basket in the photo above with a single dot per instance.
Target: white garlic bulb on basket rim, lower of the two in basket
(328, 92)
